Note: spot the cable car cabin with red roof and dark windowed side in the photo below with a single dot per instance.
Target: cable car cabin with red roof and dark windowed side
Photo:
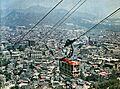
(69, 68)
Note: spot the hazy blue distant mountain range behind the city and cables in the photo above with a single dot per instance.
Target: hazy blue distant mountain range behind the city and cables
(32, 14)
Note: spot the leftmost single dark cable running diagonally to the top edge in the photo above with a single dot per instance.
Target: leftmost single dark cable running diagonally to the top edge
(38, 23)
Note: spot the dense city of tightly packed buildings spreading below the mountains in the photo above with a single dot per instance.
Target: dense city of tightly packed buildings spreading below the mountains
(42, 65)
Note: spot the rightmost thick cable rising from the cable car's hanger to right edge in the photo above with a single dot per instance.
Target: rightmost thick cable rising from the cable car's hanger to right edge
(72, 41)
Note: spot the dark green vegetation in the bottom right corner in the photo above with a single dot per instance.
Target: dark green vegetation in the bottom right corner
(110, 82)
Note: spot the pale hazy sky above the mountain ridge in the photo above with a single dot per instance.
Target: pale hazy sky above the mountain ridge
(99, 8)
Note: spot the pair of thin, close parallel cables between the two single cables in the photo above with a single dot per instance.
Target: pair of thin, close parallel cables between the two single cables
(63, 20)
